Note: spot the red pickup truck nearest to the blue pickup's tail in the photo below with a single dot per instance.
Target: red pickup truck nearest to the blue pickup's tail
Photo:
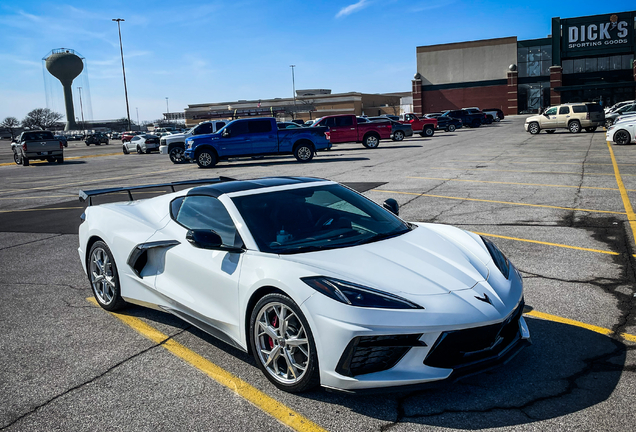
(345, 128)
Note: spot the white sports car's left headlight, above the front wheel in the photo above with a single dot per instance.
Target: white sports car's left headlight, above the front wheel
(357, 295)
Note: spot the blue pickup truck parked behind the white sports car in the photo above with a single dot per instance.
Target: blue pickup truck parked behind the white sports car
(255, 137)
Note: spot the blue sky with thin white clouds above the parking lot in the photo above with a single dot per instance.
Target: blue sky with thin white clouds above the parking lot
(215, 51)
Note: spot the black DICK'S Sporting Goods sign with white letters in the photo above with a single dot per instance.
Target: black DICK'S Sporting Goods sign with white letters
(597, 35)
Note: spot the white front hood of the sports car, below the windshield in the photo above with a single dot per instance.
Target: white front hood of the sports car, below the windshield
(420, 262)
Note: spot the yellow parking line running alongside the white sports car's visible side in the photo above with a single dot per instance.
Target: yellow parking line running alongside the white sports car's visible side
(262, 401)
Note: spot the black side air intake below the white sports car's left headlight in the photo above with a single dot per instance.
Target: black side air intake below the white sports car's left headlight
(367, 354)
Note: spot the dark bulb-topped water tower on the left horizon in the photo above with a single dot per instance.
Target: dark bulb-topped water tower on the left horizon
(65, 65)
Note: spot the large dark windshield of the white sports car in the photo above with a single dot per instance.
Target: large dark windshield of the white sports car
(316, 218)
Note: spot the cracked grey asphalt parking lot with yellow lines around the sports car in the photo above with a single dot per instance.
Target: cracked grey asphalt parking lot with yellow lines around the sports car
(558, 205)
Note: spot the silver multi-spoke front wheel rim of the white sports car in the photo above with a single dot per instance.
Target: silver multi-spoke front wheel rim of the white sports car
(282, 343)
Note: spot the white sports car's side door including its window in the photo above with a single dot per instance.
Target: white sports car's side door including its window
(201, 283)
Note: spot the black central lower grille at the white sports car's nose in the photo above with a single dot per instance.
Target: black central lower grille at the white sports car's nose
(462, 348)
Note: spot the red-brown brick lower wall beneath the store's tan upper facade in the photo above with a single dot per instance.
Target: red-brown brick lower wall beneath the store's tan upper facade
(482, 97)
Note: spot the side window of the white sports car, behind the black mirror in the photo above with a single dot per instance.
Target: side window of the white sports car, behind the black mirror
(206, 213)
